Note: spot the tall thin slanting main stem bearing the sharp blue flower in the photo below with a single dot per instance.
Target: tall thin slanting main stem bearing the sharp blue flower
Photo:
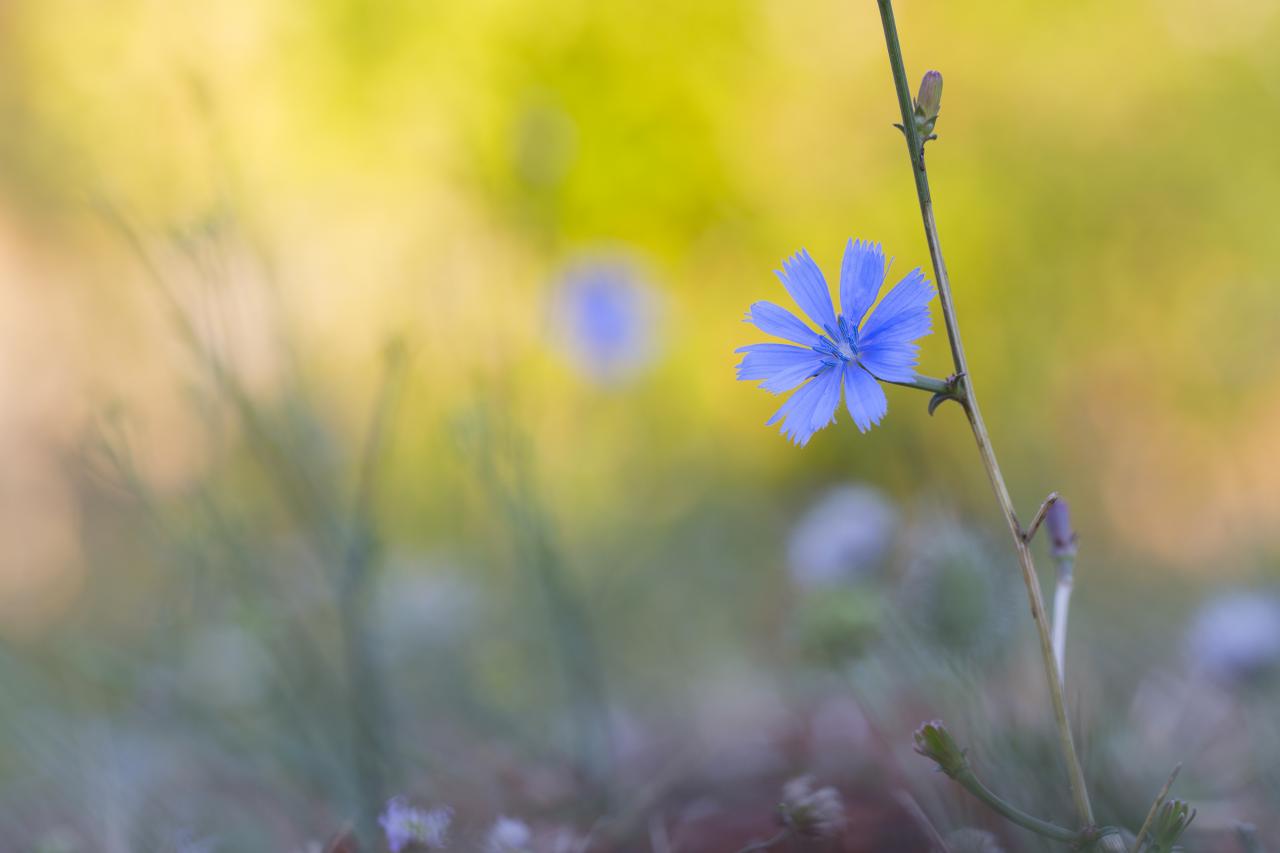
(1076, 776)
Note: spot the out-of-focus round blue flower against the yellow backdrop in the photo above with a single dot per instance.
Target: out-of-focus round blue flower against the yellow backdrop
(605, 317)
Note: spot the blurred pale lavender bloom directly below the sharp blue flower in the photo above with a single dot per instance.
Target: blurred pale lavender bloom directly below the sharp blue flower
(843, 537)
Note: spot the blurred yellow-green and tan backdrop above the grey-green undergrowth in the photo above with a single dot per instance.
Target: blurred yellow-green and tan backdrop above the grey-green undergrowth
(1105, 181)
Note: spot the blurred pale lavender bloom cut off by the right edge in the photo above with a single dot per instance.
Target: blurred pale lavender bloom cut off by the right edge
(1237, 637)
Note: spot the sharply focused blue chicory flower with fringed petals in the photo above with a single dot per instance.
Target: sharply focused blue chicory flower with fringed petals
(851, 354)
